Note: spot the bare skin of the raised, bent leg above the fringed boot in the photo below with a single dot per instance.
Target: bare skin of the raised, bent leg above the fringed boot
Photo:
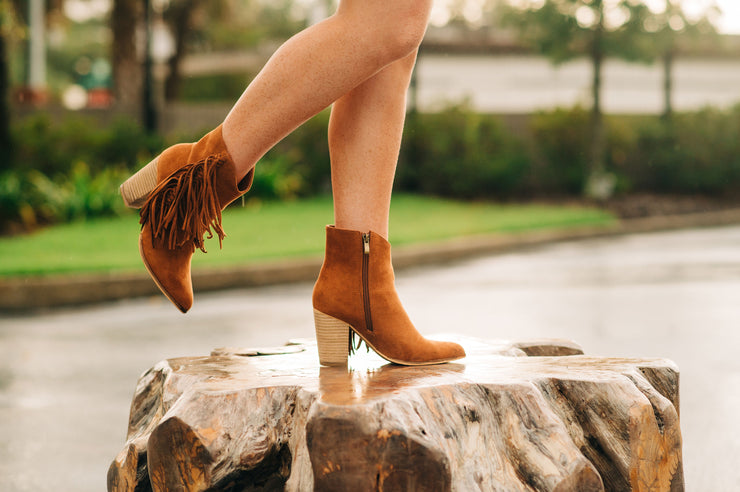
(318, 66)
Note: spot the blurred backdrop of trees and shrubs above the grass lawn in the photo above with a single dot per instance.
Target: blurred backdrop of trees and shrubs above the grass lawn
(534, 99)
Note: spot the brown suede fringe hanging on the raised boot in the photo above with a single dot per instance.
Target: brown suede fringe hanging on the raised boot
(185, 206)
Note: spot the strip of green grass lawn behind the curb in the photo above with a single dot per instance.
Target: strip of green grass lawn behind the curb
(270, 231)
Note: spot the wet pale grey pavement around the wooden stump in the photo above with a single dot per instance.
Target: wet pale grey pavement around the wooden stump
(67, 376)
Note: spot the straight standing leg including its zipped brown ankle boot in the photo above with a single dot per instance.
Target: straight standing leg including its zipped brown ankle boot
(355, 294)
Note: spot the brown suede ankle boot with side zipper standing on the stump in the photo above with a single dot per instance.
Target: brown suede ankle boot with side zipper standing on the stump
(356, 293)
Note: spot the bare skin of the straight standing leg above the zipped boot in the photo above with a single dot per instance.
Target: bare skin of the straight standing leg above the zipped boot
(364, 139)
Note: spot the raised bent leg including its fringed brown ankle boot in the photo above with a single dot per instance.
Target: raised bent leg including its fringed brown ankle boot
(183, 190)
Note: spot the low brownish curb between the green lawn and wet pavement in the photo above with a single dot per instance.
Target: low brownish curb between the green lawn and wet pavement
(29, 293)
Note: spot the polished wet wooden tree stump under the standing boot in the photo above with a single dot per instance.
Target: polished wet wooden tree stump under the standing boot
(510, 417)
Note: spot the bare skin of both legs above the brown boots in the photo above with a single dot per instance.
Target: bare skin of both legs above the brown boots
(361, 60)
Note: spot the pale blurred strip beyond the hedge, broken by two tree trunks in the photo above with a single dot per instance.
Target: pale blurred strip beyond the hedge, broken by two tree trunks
(522, 84)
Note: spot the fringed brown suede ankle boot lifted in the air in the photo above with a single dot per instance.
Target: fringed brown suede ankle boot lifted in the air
(181, 194)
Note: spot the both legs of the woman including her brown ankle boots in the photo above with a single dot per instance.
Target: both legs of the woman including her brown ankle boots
(360, 60)
